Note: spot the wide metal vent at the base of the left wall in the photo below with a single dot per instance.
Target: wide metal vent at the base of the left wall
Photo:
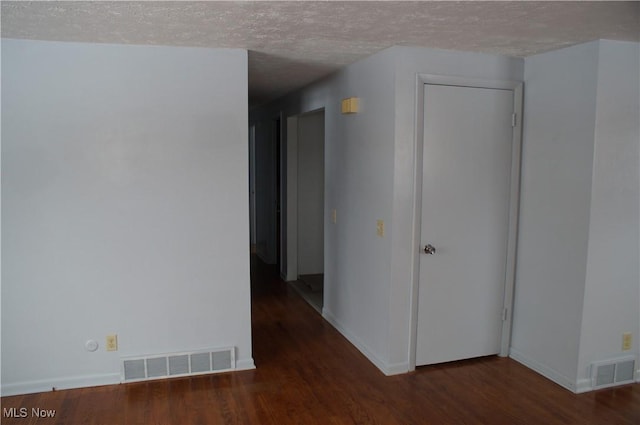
(191, 363)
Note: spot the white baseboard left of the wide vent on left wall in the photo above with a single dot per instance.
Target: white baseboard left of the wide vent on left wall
(45, 385)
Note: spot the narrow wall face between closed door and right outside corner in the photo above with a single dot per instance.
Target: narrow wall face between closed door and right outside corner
(559, 121)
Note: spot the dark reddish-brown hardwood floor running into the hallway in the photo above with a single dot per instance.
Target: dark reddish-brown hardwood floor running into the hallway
(307, 373)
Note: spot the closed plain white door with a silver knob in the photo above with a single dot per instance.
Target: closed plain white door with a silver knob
(467, 158)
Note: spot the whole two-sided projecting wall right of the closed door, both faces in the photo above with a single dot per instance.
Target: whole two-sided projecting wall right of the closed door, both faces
(577, 275)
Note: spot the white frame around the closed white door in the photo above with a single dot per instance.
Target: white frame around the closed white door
(514, 199)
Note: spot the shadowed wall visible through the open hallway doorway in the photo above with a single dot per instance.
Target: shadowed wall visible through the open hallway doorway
(310, 193)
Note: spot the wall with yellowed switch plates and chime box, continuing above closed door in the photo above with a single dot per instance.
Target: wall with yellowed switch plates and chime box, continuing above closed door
(369, 175)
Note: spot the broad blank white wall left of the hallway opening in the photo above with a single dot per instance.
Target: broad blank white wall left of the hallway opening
(124, 207)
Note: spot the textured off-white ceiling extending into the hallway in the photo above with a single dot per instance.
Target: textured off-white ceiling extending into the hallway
(292, 43)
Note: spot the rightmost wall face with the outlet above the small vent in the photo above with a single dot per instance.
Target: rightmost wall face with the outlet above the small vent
(613, 282)
